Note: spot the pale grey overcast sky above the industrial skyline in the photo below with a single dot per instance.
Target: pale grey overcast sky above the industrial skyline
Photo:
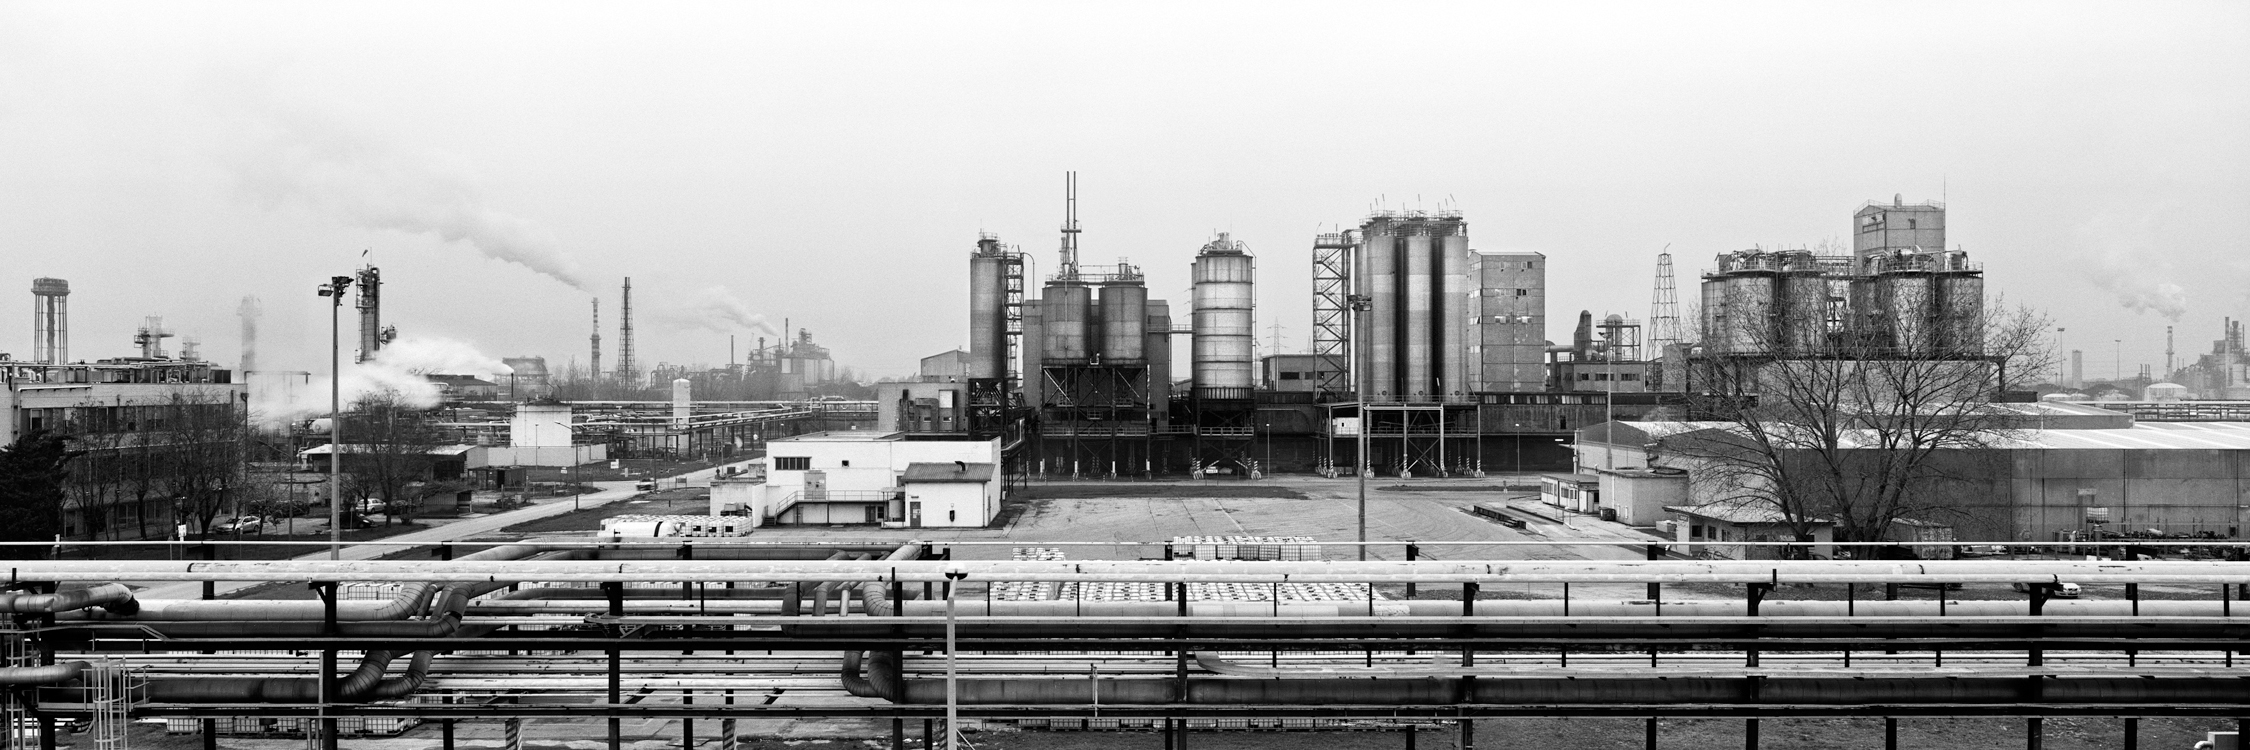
(834, 163)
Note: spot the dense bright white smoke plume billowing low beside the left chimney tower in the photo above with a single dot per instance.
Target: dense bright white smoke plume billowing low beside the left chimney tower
(399, 368)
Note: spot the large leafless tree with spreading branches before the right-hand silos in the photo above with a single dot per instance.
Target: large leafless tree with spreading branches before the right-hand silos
(1851, 404)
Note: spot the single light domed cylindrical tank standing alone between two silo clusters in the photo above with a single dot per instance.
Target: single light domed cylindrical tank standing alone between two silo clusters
(1225, 319)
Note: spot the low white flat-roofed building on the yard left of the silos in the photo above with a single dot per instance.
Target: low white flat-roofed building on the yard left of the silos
(870, 479)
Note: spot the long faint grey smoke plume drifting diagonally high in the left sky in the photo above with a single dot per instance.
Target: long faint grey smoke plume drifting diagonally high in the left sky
(357, 179)
